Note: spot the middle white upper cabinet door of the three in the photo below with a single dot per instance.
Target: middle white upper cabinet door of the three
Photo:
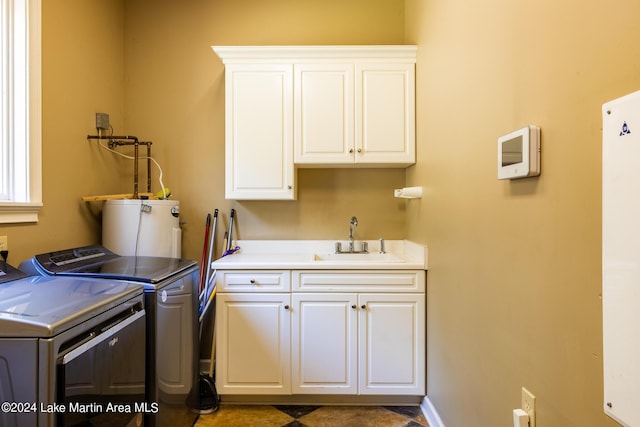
(323, 113)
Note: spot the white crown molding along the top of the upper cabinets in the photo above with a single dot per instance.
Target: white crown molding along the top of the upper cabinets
(294, 54)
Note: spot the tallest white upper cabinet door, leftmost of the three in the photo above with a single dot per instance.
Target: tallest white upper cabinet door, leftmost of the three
(259, 132)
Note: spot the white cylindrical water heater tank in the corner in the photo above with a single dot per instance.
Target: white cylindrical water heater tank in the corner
(142, 227)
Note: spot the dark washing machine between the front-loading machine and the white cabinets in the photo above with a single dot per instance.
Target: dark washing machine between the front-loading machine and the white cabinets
(171, 302)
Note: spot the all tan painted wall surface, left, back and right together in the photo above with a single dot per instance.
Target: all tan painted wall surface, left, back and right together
(482, 70)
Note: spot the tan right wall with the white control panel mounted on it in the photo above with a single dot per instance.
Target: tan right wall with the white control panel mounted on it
(515, 267)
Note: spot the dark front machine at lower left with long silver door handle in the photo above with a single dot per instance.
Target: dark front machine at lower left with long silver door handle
(72, 351)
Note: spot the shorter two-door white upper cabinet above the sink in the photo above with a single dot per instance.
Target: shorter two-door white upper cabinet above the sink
(357, 113)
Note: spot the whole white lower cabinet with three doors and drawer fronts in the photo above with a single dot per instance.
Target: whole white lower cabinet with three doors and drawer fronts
(322, 342)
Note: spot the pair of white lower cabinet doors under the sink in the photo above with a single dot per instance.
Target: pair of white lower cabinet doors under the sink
(358, 344)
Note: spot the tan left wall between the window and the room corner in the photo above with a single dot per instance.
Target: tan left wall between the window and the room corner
(81, 75)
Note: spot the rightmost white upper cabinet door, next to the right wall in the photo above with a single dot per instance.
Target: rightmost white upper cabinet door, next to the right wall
(385, 114)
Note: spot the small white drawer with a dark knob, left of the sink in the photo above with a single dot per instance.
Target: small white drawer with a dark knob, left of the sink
(253, 281)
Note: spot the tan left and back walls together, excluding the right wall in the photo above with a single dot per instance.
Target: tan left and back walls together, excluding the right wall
(150, 66)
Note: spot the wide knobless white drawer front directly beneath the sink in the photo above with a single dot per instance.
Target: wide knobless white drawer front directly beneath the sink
(357, 280)
